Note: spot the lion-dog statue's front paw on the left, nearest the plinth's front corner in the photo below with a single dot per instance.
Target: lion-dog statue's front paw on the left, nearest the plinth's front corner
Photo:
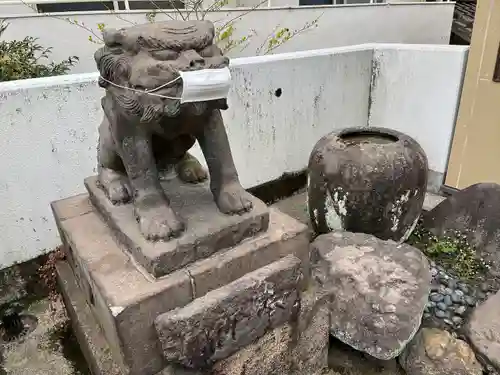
(159, 222)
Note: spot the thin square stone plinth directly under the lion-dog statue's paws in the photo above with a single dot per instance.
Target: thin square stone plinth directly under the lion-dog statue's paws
(207, 229)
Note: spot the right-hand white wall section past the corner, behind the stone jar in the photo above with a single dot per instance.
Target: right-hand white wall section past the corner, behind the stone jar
(401, 99)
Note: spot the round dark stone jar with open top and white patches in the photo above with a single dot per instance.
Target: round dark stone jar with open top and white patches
(369, 180)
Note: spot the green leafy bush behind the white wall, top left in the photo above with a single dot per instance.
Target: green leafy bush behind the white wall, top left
(21, 59)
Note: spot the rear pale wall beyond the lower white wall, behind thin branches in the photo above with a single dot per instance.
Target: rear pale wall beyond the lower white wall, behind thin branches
(428, 23)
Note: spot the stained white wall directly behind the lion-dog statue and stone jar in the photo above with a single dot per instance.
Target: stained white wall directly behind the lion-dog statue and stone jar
(49, 133)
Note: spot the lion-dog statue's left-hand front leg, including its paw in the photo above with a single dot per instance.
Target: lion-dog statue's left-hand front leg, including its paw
(156, 218)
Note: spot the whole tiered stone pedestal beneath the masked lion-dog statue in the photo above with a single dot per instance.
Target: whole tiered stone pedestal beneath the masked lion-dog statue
(226, 283)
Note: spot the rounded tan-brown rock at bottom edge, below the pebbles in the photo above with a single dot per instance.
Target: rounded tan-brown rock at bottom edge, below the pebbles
(436, 352)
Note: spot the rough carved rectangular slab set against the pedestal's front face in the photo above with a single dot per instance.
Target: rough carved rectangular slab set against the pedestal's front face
(227, 319)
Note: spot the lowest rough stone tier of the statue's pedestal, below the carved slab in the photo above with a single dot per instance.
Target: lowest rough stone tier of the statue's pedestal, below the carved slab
(296, 348)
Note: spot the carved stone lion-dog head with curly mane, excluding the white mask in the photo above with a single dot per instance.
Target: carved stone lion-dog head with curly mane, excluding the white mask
(145, 57)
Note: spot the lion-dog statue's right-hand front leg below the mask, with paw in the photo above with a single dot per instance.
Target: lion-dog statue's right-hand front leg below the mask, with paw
(228, 193)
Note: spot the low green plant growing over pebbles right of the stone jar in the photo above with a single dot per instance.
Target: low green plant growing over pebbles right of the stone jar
(453, 251)
